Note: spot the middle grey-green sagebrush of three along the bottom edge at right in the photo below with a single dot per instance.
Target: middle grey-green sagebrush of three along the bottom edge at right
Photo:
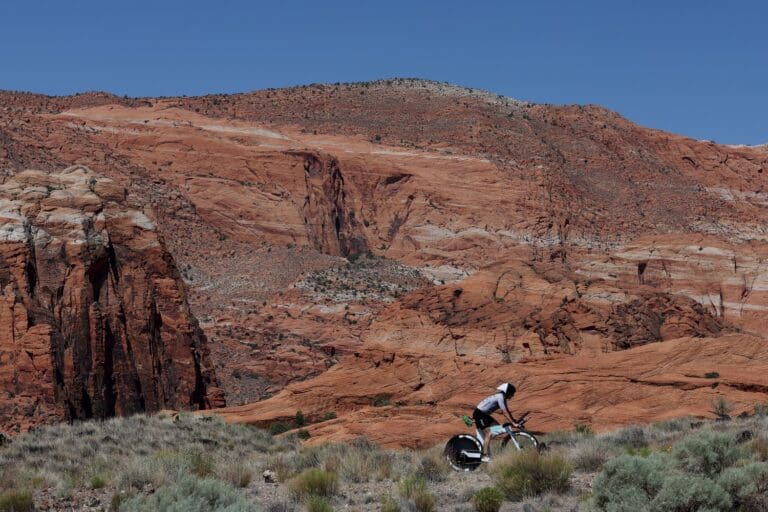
(683, 493)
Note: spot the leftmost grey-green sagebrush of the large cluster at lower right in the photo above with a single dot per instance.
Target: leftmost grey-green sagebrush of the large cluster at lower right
(628, 483)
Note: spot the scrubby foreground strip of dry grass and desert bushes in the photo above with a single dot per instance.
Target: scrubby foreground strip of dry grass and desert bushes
(189, 462)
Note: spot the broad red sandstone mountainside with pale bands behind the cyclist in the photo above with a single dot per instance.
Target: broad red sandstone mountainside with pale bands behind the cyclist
(388, 251)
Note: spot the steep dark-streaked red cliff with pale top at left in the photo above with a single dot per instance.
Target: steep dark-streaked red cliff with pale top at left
(93, 316)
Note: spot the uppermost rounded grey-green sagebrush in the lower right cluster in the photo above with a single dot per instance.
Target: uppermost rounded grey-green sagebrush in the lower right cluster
(707, 453)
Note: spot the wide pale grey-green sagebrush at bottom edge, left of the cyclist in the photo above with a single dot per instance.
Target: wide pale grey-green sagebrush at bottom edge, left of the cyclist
(189, 494)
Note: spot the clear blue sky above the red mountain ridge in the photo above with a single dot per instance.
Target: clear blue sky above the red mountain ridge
(698, 68)
